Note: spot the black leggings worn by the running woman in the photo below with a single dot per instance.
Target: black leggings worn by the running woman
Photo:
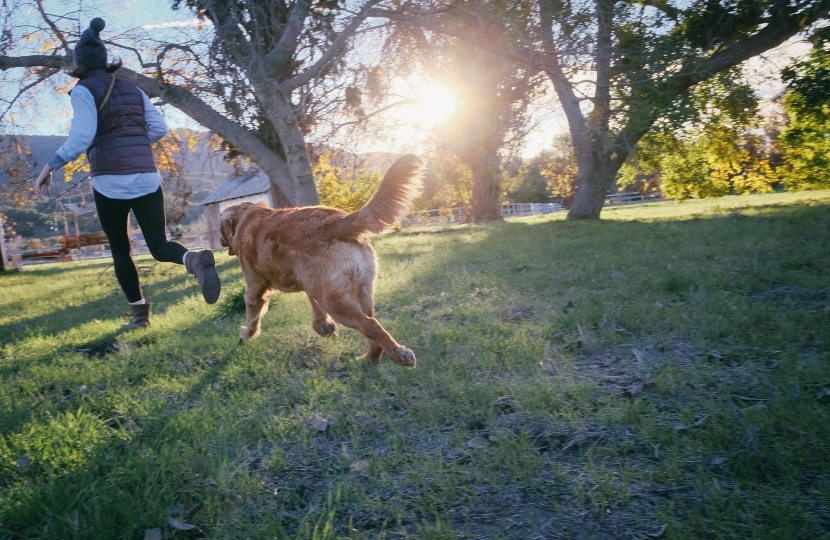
(149, 211)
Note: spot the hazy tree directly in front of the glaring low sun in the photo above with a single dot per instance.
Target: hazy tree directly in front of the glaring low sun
(461, 44)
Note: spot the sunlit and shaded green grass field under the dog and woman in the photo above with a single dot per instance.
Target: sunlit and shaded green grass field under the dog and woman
(660, 374)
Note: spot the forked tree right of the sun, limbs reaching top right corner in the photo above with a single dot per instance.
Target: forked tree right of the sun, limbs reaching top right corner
(619, 66)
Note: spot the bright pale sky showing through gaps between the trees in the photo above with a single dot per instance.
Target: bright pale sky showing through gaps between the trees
(51, 115)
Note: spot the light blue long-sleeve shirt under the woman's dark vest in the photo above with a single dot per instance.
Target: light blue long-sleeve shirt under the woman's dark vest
(82, 133)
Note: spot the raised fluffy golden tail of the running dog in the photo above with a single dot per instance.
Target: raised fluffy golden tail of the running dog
(399, 187)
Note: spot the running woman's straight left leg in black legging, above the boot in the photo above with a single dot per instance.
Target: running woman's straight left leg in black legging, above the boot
(114, 214)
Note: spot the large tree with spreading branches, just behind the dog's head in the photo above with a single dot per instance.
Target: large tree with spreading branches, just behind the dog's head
(248, 77)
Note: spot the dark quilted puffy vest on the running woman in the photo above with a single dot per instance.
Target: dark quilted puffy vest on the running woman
(121, 145)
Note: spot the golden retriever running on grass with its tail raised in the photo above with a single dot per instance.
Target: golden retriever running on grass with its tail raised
(324, 252)
